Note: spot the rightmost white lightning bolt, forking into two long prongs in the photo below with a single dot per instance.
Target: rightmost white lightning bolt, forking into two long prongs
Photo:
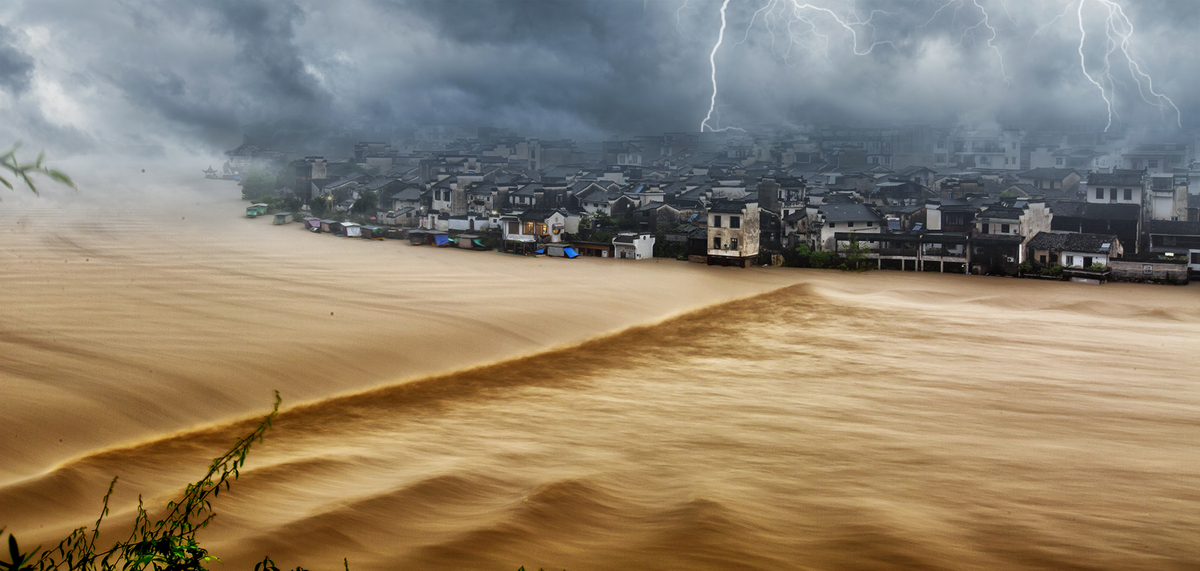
(1119, 37)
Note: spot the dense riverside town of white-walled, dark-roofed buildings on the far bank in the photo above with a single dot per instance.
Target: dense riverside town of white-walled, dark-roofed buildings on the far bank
(986, 201)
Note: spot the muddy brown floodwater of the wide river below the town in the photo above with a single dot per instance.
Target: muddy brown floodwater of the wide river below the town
(477, 411)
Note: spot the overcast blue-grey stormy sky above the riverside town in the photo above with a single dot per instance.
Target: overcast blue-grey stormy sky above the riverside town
(79, 76)
